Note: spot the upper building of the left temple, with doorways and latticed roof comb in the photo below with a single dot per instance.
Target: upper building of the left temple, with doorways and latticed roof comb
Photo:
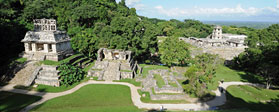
(46, 42)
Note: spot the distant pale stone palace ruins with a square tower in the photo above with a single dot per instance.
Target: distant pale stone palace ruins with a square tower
(227, 46)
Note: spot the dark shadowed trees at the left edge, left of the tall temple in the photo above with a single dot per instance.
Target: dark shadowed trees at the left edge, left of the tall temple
(11, 32)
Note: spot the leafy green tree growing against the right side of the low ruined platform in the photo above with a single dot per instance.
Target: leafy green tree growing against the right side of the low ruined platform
(200, 74)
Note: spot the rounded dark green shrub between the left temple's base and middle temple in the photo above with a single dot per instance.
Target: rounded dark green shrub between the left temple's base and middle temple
(70, 74)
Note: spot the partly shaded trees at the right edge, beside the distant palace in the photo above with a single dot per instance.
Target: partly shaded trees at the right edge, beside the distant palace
(262, 56)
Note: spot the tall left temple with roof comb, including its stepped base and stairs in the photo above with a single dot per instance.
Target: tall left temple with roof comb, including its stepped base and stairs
(45, 42)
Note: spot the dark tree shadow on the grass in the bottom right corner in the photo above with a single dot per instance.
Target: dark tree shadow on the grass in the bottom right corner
(239, 104)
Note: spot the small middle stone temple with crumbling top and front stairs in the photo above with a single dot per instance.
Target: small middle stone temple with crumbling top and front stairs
(113, 64)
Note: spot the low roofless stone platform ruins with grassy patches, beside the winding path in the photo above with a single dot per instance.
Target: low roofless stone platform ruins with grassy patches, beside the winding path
(149, 84)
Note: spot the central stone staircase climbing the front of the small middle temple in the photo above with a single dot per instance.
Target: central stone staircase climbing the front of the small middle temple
(112, 71)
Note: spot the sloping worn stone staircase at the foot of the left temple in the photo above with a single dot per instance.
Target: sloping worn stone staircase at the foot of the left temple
(26, 75)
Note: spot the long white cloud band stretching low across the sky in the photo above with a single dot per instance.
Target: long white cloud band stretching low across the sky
(196, 11)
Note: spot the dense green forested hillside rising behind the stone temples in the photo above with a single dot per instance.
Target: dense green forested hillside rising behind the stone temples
(93, 24)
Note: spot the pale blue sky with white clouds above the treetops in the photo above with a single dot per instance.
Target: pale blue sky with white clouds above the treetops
(208, 10)
